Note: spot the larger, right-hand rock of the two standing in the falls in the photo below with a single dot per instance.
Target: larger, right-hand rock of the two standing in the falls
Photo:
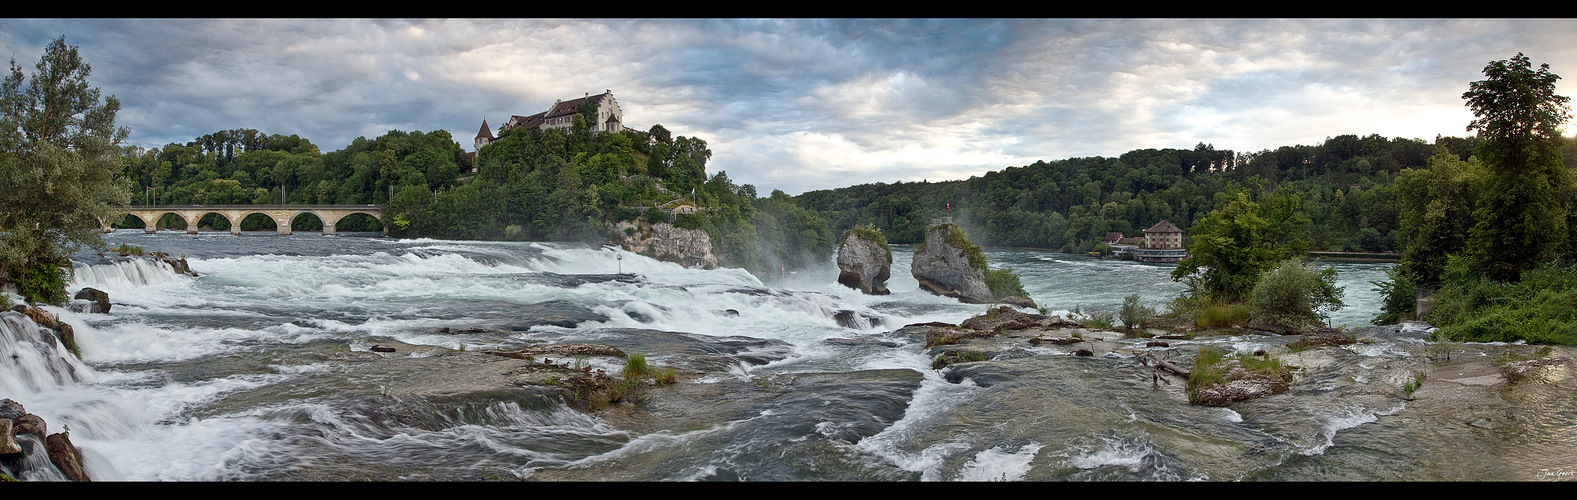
(947, 264)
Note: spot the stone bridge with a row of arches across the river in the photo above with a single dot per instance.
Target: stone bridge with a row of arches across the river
(281, 214)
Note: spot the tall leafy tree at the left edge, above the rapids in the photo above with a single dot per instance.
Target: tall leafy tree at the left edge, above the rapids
(59, 157)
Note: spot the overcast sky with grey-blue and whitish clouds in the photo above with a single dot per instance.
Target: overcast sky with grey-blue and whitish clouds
(810, 105)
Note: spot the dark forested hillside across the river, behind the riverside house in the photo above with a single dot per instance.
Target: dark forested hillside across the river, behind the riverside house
(1346, 185)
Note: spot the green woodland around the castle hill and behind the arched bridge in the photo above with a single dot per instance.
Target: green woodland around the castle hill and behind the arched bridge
(529, 185)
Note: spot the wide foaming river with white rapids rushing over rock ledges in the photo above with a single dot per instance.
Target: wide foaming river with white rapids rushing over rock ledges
(261, 370)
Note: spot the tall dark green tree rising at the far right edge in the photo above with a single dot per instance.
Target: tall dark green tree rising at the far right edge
(1521, 220)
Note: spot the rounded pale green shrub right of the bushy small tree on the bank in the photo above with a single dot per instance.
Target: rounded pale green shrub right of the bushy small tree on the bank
(1296, 294)
